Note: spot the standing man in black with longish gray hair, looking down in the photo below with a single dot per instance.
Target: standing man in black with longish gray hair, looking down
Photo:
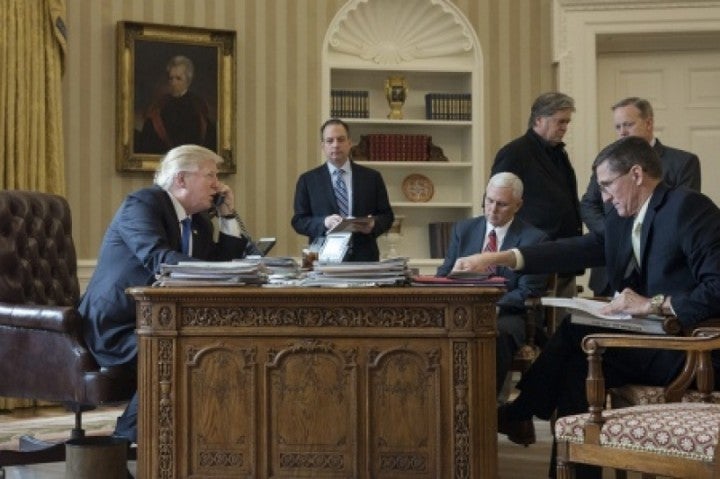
(539, 159)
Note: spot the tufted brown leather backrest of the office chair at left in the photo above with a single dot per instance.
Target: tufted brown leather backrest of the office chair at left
(37, 255)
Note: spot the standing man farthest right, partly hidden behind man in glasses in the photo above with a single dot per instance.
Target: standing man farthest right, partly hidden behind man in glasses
(633, 116)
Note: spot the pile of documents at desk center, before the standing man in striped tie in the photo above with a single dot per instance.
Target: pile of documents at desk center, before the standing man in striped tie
(392, 271)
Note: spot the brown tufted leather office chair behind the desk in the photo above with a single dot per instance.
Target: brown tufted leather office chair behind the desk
(42, 352)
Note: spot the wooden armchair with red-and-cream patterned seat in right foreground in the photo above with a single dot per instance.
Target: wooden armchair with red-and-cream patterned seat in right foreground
(673, 439)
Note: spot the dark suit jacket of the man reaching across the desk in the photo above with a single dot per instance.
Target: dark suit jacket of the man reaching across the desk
(680, 247)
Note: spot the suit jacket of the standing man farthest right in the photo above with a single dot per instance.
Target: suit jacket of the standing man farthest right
(679, 168)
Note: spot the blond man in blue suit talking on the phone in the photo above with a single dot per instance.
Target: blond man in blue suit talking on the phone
(145, 233)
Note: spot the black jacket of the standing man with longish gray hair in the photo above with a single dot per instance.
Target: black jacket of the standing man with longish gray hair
(550, 198)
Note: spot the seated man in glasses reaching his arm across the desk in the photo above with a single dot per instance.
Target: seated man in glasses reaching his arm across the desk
(661, 246)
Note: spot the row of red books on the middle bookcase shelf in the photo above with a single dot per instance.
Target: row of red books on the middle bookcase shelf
(396, 147)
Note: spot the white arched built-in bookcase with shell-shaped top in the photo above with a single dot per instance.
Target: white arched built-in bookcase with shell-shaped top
(433, 46)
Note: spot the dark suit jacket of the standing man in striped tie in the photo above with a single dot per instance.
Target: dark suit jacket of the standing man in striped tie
(315, 200)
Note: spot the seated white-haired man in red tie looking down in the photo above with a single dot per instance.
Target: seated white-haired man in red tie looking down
(503, 198)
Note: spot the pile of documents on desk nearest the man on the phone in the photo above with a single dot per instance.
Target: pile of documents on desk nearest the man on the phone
(212, 273)
